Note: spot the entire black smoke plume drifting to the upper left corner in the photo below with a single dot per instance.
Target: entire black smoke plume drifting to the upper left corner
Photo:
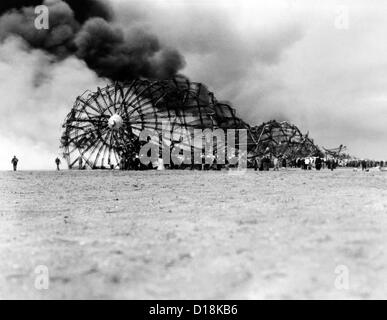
(84, 28)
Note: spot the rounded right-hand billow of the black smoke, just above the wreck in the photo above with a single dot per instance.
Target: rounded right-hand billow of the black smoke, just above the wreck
(119, 56)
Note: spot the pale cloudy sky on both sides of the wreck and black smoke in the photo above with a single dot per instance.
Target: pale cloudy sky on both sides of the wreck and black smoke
(321, 65)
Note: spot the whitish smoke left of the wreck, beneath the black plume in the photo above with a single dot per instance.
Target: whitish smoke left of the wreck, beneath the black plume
(36, 95)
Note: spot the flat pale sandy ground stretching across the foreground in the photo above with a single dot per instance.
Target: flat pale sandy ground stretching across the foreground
(194, 235)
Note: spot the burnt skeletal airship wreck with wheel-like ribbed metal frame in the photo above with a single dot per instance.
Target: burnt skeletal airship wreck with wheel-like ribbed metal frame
(175, 120)
